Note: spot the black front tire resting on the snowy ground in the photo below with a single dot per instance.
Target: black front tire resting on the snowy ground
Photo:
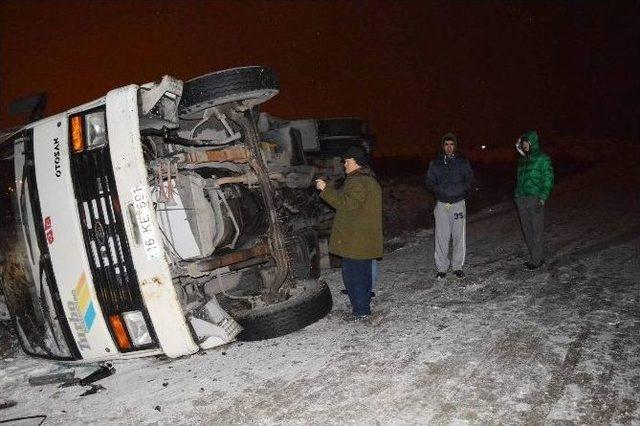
(283, 318)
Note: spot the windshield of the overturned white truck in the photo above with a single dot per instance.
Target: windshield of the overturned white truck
(25, 271)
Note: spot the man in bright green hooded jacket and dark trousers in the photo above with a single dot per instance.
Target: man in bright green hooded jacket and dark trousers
(533, 187)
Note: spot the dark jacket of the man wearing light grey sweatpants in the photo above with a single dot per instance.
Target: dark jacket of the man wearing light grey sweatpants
(449, 178)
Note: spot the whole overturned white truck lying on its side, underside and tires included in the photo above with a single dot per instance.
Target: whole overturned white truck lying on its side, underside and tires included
(155, 220)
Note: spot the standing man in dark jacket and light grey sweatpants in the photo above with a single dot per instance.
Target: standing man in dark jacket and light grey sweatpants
(450, 176)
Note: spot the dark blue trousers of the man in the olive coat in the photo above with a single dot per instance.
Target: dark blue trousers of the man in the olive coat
(357, 278)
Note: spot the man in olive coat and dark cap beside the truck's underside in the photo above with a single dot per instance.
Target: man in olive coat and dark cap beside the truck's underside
(356, 234)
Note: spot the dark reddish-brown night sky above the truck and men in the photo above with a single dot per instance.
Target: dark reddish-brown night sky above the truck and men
(486, 70)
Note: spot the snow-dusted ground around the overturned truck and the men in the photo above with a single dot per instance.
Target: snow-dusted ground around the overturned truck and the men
(504, 345)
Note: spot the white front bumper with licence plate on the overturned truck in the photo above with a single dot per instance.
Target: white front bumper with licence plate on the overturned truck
(155, 283)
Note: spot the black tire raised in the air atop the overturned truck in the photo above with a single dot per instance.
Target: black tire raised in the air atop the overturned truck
(250, 85)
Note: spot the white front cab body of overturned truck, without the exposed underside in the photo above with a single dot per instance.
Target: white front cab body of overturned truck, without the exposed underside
(95, 253)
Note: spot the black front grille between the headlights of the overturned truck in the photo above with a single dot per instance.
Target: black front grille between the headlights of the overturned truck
(114, 276)
